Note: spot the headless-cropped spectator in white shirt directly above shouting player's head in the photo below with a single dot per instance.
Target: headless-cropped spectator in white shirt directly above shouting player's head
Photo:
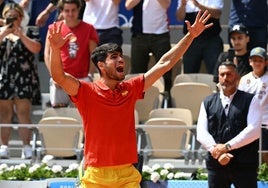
(103, 15)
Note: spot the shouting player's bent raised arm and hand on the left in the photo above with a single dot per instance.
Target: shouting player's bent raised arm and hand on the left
(66, 81)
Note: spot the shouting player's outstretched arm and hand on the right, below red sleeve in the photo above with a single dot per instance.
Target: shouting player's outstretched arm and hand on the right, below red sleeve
(169, 59)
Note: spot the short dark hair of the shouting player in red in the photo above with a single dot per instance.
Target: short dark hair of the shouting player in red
(101, 52)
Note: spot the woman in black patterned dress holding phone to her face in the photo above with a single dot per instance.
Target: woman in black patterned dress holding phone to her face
(18, 79)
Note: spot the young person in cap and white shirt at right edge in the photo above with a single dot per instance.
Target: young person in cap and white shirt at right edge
(256, 82)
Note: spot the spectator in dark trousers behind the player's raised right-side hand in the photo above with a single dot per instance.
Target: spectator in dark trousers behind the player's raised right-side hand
(209, 44)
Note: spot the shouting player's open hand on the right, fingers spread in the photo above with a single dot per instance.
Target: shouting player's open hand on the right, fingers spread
(199, 25)
